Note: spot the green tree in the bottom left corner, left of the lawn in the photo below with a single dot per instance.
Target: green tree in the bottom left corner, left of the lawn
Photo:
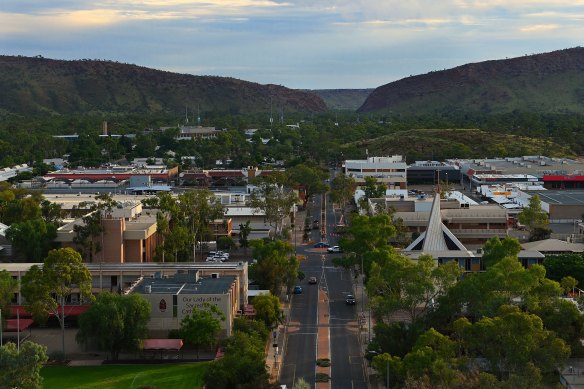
(21, 367)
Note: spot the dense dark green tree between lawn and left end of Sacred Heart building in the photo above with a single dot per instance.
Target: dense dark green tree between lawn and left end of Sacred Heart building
(115, 323)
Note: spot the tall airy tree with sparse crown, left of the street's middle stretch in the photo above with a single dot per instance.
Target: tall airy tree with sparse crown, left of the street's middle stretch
(275, 201)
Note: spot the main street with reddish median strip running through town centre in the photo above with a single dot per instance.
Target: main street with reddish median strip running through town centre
(299, 360)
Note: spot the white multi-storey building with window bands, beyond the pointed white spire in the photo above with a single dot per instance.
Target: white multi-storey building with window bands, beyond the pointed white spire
(391, 171)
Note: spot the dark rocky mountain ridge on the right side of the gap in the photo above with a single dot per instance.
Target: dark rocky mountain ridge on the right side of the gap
(545, 83)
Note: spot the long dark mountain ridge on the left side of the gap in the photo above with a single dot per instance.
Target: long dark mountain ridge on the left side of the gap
(36, 85)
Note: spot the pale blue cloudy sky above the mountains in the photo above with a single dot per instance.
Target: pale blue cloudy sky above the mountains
(302, 44)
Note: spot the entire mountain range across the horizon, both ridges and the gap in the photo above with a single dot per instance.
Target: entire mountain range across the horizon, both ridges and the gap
(544, 83)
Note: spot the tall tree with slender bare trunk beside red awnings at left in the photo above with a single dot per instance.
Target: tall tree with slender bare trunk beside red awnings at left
(47, 288)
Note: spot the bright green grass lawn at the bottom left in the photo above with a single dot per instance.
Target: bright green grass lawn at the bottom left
(184, 375)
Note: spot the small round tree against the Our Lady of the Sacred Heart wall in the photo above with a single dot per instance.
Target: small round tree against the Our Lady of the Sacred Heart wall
(202, 326)
